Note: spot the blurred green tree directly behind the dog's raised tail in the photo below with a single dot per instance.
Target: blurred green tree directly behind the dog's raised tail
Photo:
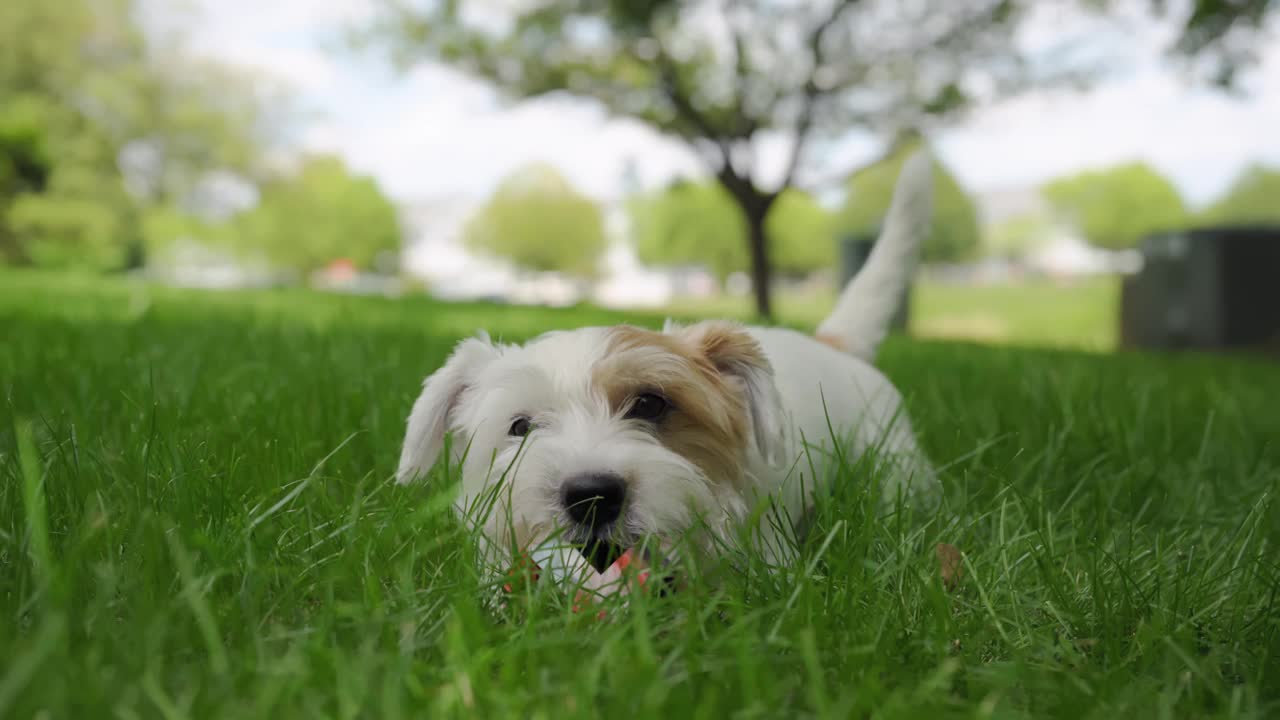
(954, 235)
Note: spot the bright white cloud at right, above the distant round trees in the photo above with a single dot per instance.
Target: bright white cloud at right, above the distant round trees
(1200, 138)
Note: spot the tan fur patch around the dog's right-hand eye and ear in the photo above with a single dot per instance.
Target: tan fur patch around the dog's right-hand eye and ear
(710, 418)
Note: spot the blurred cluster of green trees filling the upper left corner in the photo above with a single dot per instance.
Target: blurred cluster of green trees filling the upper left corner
(115, 144)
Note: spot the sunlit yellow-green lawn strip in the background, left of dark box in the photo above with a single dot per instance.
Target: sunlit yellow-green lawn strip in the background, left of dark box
(1078, 315)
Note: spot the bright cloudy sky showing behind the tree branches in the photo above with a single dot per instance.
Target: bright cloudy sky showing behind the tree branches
(433, 134)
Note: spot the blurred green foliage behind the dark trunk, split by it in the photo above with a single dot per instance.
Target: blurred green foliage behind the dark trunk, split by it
(698, 224)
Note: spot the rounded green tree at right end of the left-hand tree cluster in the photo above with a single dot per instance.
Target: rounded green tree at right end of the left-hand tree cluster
(319, 215)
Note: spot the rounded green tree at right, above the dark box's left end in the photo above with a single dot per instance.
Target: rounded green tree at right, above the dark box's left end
(1118, 207)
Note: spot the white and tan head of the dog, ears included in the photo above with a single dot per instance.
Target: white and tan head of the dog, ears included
(601, 436)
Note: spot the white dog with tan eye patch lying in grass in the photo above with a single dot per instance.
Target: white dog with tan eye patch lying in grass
(606, 436)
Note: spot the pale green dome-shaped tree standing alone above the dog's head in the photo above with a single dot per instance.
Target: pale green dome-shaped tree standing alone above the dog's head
(541, 224)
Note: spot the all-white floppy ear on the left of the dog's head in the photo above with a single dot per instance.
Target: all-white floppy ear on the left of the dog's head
(433, 412)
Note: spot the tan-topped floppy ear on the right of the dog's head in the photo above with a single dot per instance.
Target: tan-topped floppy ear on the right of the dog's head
(738, 357)
